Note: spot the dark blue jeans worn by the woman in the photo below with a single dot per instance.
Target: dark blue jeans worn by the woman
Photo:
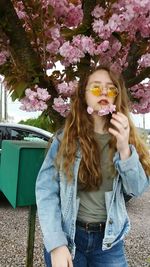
(89, 251)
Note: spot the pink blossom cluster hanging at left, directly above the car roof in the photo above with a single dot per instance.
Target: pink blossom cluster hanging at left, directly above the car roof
(35, 99)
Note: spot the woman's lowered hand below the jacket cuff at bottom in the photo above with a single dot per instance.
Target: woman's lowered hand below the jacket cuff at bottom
(61, 257)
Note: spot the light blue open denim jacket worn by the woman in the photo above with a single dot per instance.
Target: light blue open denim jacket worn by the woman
(57, 201)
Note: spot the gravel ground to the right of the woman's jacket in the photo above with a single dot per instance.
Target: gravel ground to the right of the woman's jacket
(138, 241)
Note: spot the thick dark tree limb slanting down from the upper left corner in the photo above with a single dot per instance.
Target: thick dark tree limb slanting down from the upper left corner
(20, 47)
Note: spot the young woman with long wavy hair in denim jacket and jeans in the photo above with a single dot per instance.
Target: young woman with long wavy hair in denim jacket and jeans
(90, 166)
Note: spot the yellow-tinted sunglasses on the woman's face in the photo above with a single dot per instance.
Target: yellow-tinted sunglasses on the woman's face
(112, 91)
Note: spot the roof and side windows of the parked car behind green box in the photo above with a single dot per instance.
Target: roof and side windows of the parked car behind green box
(16, 131)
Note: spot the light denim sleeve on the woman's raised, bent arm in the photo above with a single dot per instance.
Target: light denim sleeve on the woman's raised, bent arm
(134, 179)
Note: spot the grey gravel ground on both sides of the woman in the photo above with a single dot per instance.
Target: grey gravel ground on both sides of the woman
(13, 235)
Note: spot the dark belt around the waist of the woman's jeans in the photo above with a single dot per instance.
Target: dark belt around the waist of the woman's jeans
(90, 226)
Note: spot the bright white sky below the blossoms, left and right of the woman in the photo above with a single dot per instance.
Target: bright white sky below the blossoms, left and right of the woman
(16, 114)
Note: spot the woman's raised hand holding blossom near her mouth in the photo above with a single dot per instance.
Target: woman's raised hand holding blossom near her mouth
(121, 132)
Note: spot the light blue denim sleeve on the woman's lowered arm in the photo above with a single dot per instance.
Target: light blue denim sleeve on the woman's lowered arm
(48, 201)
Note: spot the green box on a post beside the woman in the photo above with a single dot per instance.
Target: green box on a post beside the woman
(20, 163)
